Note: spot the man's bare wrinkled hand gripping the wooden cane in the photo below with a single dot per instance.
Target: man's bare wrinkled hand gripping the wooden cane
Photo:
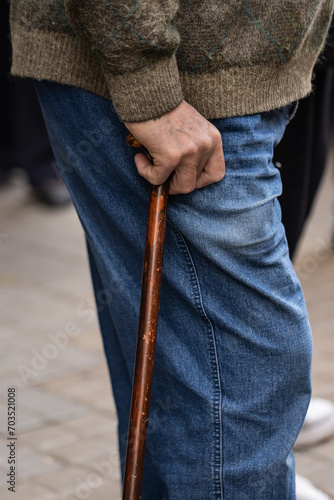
(181, 141)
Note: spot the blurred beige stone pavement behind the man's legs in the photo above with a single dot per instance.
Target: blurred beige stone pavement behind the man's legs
(51, 352)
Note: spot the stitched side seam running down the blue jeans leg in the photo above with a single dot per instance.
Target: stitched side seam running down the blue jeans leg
(197, 295)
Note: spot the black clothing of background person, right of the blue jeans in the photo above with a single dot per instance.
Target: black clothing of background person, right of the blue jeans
(304, 149)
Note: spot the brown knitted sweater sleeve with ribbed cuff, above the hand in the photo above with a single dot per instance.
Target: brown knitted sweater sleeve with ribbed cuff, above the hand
(135, 42)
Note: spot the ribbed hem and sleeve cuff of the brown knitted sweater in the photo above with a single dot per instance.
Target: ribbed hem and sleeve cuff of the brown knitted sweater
(155, 91)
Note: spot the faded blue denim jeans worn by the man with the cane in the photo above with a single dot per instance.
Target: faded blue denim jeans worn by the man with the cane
(232, 371)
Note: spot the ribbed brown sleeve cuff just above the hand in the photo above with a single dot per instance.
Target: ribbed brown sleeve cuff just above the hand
(146, 94)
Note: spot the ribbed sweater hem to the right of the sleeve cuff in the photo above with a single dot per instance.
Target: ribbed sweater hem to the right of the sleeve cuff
(248, 90)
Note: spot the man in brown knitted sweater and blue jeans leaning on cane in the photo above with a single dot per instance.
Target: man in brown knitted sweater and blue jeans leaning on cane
(232, 374)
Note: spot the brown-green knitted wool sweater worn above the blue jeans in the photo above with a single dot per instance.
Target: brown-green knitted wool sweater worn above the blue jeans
(224, 57)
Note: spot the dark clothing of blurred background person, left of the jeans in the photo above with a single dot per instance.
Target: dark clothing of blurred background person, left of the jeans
(24, 140)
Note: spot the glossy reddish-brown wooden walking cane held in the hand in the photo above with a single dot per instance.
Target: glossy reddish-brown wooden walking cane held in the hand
(146, 338)
